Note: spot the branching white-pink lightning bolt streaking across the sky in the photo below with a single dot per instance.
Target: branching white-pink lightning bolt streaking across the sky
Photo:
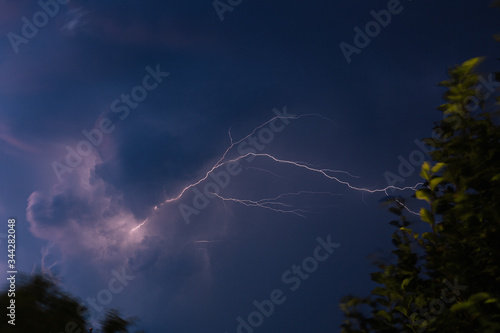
(272, 203)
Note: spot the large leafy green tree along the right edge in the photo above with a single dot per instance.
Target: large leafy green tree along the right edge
(447, 278)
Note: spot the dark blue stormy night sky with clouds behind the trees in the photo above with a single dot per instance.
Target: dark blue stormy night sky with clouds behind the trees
(111, 108)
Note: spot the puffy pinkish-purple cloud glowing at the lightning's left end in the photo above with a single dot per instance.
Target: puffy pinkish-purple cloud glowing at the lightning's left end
(82, 215)
